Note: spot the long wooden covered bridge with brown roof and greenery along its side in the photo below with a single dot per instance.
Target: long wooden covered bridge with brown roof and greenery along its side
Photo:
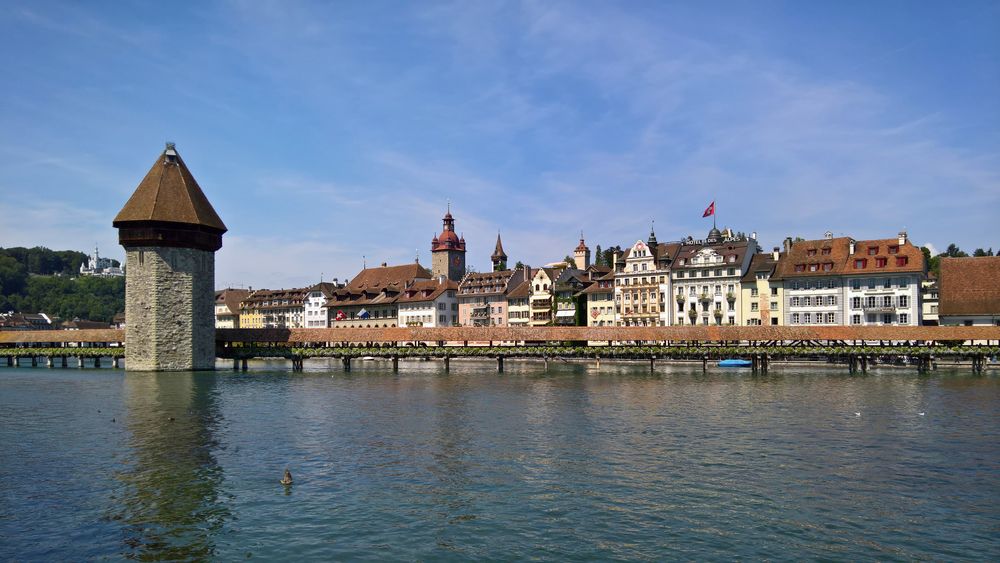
(856, 347)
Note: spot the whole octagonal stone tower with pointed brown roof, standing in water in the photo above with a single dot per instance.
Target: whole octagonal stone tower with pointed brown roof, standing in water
(170, 233)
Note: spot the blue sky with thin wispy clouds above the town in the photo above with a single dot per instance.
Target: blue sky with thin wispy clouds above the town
(324, 132)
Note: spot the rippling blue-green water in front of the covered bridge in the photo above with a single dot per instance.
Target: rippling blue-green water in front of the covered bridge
(577, 463)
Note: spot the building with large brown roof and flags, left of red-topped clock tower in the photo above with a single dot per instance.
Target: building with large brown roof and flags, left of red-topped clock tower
(370, 300)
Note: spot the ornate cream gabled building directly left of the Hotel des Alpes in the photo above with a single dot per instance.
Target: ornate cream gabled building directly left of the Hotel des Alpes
(642, 283)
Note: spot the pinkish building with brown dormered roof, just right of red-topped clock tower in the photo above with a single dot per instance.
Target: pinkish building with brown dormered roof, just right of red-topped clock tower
(482, 296)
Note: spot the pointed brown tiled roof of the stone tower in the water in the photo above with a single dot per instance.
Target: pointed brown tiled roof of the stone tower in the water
(170, 194)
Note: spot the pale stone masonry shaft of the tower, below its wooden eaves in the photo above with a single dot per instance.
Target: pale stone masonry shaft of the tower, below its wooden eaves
(169, 309)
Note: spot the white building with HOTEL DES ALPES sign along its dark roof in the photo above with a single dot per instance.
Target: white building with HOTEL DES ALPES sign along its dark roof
(706, 276)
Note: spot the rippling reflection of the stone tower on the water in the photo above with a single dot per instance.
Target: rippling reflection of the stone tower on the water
(172, 506)
